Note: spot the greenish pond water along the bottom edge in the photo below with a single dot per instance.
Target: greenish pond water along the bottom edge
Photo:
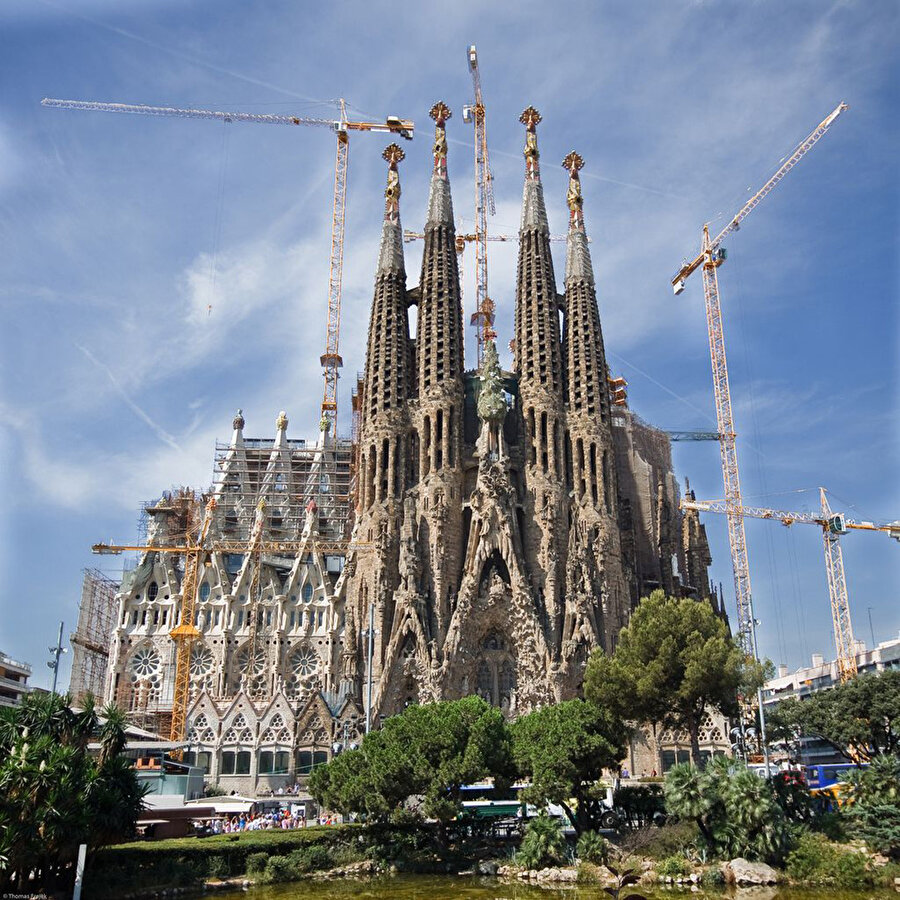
(427, 887)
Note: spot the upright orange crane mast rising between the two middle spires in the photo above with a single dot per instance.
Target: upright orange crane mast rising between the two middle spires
(483, 317)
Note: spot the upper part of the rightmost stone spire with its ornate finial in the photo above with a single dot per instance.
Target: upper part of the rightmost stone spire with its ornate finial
(586, 388)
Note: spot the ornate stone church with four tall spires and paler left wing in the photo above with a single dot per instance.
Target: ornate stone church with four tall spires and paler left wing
(504, 523)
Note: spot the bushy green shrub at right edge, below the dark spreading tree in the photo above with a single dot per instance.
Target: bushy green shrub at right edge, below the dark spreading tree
(873, 811)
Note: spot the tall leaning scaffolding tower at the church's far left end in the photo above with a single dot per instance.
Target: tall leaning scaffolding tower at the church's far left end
(92, 638)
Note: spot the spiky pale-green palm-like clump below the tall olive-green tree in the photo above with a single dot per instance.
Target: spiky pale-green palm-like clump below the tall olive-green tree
(736, 810)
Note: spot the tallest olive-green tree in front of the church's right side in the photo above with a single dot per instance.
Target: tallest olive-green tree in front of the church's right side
(673, 661)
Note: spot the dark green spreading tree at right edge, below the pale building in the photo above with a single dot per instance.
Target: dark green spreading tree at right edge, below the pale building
(859, 718)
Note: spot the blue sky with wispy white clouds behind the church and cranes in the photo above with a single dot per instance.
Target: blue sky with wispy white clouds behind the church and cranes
(119, 232)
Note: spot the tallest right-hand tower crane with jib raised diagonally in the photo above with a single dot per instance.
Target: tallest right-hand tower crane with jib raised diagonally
(710, 257)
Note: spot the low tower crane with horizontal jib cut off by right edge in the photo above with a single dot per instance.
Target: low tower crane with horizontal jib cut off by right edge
(833, 525)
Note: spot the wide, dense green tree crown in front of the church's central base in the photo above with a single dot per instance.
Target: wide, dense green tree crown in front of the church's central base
(427, 752)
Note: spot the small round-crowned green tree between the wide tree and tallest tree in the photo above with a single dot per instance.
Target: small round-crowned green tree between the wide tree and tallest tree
(563, 749)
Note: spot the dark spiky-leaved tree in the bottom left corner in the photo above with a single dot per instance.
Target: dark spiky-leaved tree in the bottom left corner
(54, 794)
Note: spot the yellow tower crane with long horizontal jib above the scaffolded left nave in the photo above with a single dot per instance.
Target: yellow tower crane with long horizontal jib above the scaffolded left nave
(331, 359)
